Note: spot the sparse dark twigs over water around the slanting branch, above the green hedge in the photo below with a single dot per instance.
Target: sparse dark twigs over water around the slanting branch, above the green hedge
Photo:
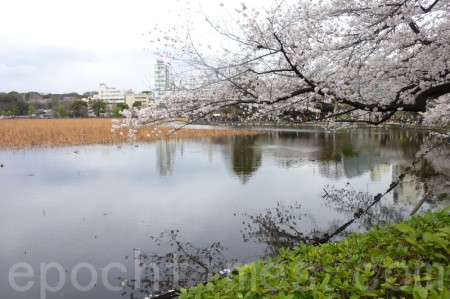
(281, 227)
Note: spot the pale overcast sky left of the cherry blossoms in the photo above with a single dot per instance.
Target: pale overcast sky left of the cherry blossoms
(61, 46)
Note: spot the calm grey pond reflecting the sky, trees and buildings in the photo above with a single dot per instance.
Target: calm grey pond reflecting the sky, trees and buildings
(127, 221)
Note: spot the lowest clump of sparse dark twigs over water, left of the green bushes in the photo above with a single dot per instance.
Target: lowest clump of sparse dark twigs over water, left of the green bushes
(183, 266)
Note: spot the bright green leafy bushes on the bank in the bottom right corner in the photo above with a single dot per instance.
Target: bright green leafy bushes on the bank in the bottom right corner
(407, 260)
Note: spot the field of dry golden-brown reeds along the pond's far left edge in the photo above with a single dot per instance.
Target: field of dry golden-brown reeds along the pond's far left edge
(22, 133)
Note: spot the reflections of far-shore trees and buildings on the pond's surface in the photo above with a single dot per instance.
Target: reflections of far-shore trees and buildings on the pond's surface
(338, 155)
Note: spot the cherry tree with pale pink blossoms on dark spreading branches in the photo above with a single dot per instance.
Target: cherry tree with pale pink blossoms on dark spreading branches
(355, 56)
